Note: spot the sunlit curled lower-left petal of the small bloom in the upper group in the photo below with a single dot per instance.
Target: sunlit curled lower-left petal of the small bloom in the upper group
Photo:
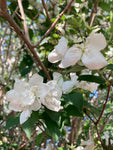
(54, 57)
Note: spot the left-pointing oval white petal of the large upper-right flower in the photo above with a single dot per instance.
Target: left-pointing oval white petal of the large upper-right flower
(71, 57)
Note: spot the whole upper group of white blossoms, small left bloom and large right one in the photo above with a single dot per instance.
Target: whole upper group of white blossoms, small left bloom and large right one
(88, 52)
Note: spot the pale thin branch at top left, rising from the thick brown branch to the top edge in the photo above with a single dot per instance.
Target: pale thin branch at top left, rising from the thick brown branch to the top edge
(24, 19)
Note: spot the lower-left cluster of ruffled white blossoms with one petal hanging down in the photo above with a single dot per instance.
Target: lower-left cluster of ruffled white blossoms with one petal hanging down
(28, 96)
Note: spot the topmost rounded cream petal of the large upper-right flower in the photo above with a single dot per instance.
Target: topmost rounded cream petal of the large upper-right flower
(96, 41)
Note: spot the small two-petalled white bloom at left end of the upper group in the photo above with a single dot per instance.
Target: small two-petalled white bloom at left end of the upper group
(58, 53)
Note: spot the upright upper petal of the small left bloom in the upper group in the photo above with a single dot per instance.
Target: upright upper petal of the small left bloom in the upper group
(62, 47)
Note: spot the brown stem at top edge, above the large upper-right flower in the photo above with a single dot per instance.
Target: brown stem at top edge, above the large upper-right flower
(93, 13)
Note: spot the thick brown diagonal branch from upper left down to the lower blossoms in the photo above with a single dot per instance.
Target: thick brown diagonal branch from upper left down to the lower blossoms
(23, 37)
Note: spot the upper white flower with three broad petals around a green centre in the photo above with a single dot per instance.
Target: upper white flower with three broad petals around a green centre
(89, 53)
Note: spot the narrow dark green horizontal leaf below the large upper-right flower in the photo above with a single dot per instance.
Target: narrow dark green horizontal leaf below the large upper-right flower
(91, 78)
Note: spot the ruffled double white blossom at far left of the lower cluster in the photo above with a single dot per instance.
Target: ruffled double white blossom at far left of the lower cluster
(21, 96)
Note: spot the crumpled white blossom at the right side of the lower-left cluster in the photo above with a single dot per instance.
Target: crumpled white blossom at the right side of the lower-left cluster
(52, 99)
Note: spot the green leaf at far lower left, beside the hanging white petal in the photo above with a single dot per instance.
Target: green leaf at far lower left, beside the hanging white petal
(12, 121)
